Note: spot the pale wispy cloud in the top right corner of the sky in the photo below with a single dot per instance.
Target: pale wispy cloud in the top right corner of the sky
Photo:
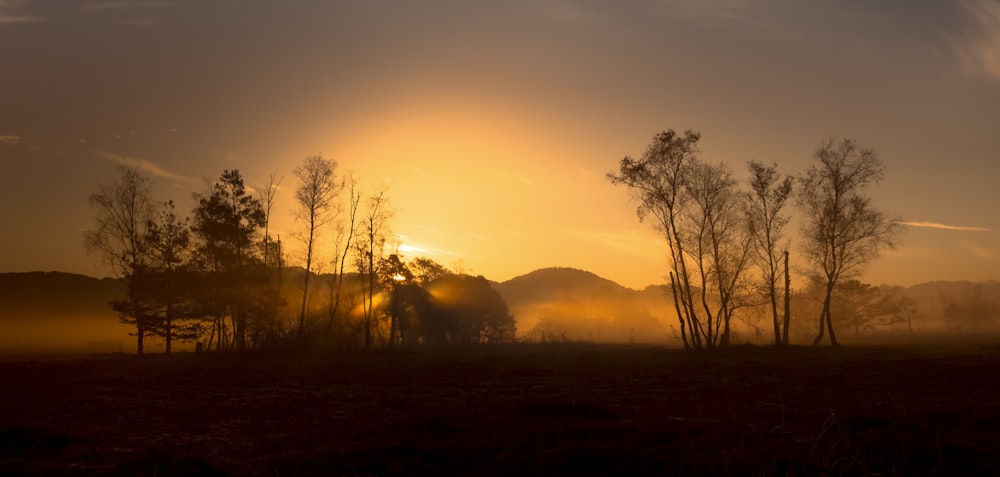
(979, 47)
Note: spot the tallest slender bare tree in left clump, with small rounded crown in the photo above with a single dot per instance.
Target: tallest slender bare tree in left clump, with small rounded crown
(315, 196)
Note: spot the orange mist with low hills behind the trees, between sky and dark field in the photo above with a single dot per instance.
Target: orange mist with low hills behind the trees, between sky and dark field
(66, 313)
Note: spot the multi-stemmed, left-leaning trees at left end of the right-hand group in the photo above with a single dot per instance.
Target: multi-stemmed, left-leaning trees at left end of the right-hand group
(697, 208)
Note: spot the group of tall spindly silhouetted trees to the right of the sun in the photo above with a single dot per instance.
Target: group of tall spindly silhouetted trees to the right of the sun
(727, 243)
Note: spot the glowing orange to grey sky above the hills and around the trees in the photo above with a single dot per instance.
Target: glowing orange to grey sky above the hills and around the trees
(492, 125)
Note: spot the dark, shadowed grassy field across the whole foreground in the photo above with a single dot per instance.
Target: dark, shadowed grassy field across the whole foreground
(528, 410)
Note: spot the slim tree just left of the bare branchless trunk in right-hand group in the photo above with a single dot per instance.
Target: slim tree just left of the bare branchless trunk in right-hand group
(769, 191)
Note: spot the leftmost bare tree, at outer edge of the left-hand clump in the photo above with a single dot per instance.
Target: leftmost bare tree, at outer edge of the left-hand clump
(124, 211)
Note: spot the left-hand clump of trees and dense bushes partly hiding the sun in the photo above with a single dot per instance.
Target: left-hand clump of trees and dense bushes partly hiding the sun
(218, 277)
